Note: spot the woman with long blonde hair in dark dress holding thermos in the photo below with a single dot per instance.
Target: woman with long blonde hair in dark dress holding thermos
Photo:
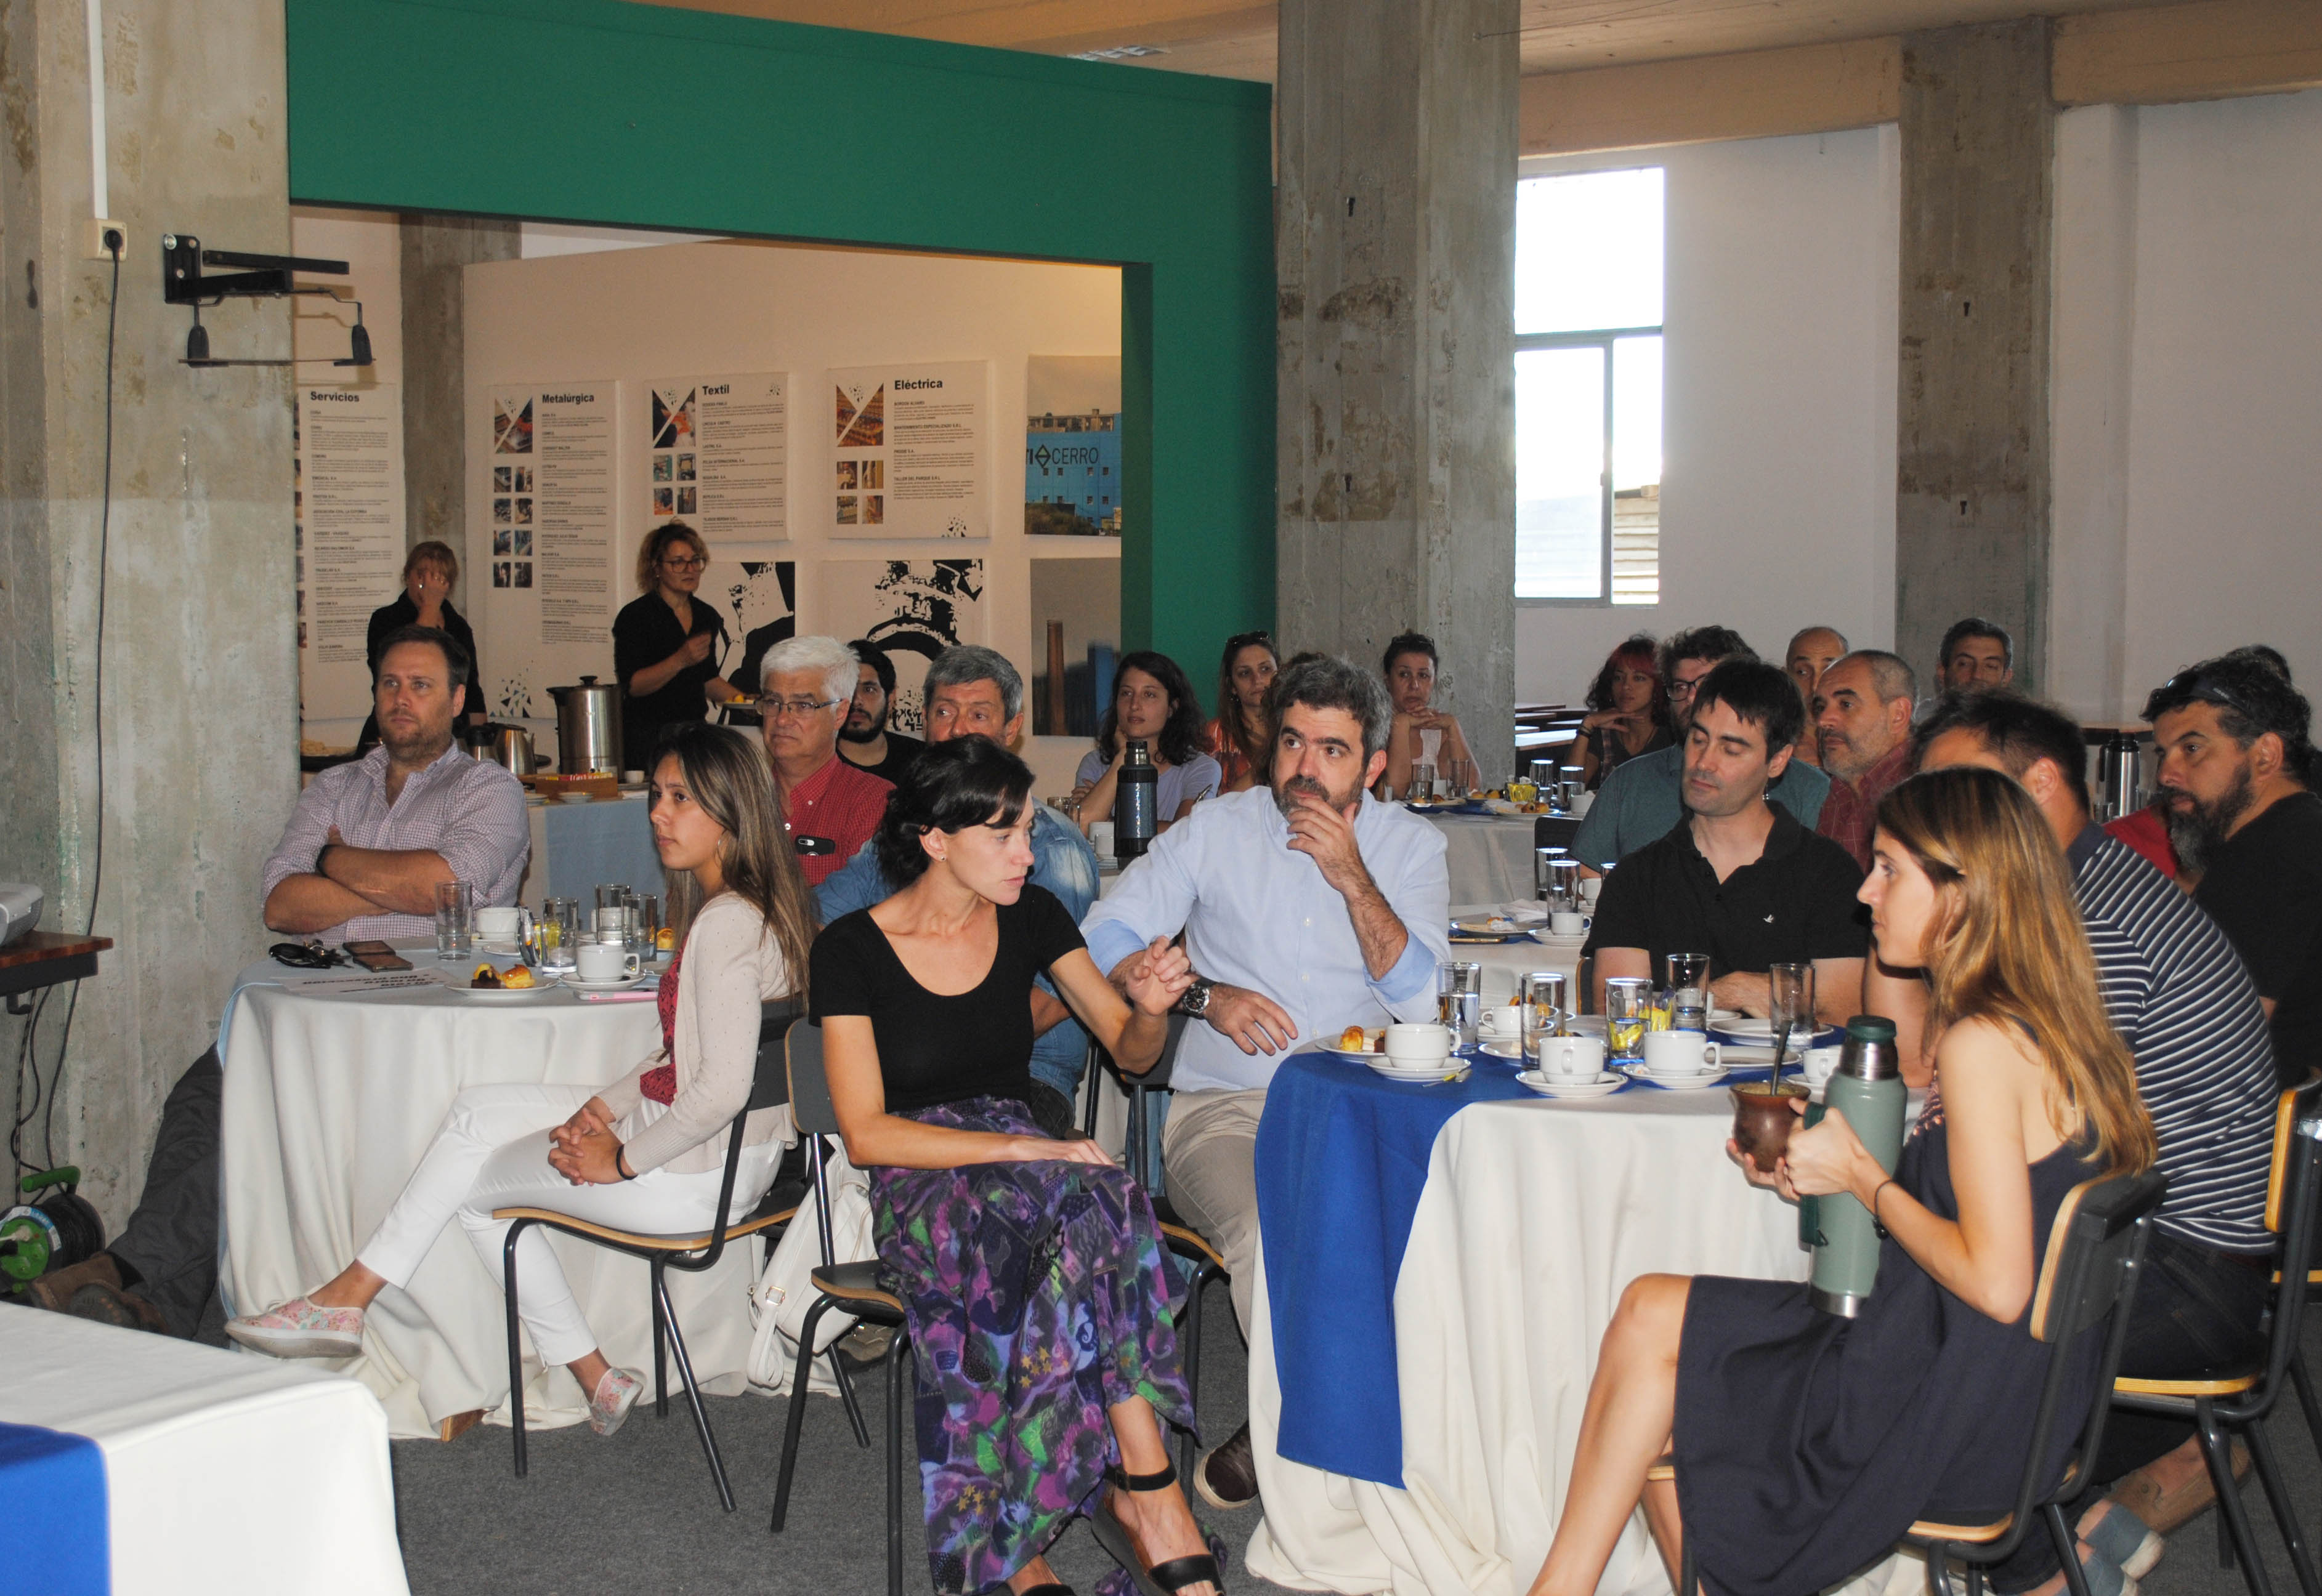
(1805, 1444)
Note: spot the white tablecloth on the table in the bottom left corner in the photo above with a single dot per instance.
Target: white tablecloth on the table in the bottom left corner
(224, 1474)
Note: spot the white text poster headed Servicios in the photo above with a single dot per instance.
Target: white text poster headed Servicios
(349, 528)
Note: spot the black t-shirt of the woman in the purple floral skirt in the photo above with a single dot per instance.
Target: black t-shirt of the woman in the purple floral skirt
(944, 1050)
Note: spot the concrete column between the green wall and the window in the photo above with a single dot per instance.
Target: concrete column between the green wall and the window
(1397, 256)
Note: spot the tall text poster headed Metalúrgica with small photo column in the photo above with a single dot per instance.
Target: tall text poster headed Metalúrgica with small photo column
(547, 570)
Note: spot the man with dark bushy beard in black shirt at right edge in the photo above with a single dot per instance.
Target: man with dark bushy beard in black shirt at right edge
(2237, 771)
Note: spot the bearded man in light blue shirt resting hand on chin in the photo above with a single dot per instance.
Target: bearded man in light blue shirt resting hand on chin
(1306, 908)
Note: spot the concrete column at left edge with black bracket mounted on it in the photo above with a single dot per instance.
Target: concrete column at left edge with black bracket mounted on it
(196, 723)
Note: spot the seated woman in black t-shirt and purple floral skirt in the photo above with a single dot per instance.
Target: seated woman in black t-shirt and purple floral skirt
(1032, 1272)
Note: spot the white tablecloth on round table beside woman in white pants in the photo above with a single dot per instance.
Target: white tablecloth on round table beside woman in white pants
(331, 1101)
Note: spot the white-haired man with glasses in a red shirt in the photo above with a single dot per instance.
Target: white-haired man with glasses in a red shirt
(830, 808)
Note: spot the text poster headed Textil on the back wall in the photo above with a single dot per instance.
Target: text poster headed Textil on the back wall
(719, 456)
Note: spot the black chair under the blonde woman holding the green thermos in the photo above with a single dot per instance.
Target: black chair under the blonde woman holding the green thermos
(2089, 1275)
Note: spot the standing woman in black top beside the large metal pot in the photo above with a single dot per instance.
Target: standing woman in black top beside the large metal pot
(668, 644)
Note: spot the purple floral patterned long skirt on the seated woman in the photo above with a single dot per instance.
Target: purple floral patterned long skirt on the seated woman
(1039, 1296)
